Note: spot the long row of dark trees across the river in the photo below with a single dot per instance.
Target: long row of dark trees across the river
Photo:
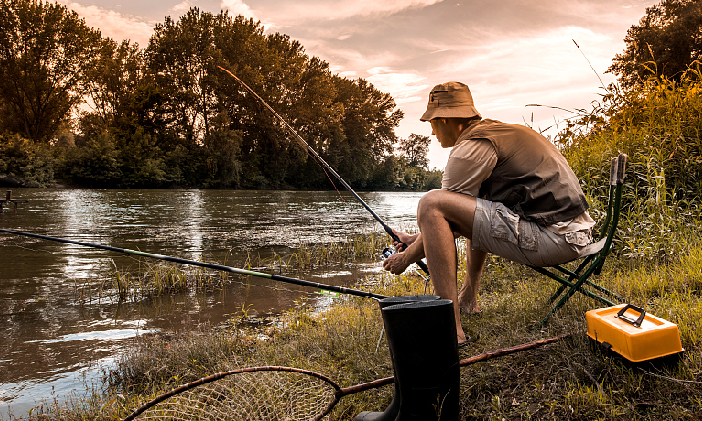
(93, 112)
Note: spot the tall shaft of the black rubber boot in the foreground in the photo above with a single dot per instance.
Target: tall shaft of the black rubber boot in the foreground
(423, 343)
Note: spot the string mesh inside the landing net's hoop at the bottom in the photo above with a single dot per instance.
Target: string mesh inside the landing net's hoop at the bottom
(259, 395)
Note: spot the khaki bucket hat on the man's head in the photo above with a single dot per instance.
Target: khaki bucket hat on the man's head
(450, 100)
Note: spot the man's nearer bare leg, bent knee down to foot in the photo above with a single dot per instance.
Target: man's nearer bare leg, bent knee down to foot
(440, 213)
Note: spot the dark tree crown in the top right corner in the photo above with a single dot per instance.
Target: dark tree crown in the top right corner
(665, 42)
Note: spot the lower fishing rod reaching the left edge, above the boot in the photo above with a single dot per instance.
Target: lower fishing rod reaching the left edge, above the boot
(221, 268)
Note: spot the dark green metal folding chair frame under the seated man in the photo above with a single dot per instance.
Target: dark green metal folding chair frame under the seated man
(579, 279)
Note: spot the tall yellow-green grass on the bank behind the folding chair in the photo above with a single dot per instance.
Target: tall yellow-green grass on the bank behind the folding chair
(658, 127)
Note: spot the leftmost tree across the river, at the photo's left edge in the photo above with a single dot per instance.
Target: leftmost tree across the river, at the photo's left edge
(45, 51)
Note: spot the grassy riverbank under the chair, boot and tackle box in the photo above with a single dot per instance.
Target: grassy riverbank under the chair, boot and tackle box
(565, 380)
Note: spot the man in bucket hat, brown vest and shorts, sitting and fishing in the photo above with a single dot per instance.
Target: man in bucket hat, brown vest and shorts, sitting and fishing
(506, 189)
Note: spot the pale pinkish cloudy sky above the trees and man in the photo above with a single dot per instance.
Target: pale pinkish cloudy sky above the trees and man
(512, 53)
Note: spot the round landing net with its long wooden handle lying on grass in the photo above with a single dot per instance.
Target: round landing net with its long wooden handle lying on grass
(271, 393)
